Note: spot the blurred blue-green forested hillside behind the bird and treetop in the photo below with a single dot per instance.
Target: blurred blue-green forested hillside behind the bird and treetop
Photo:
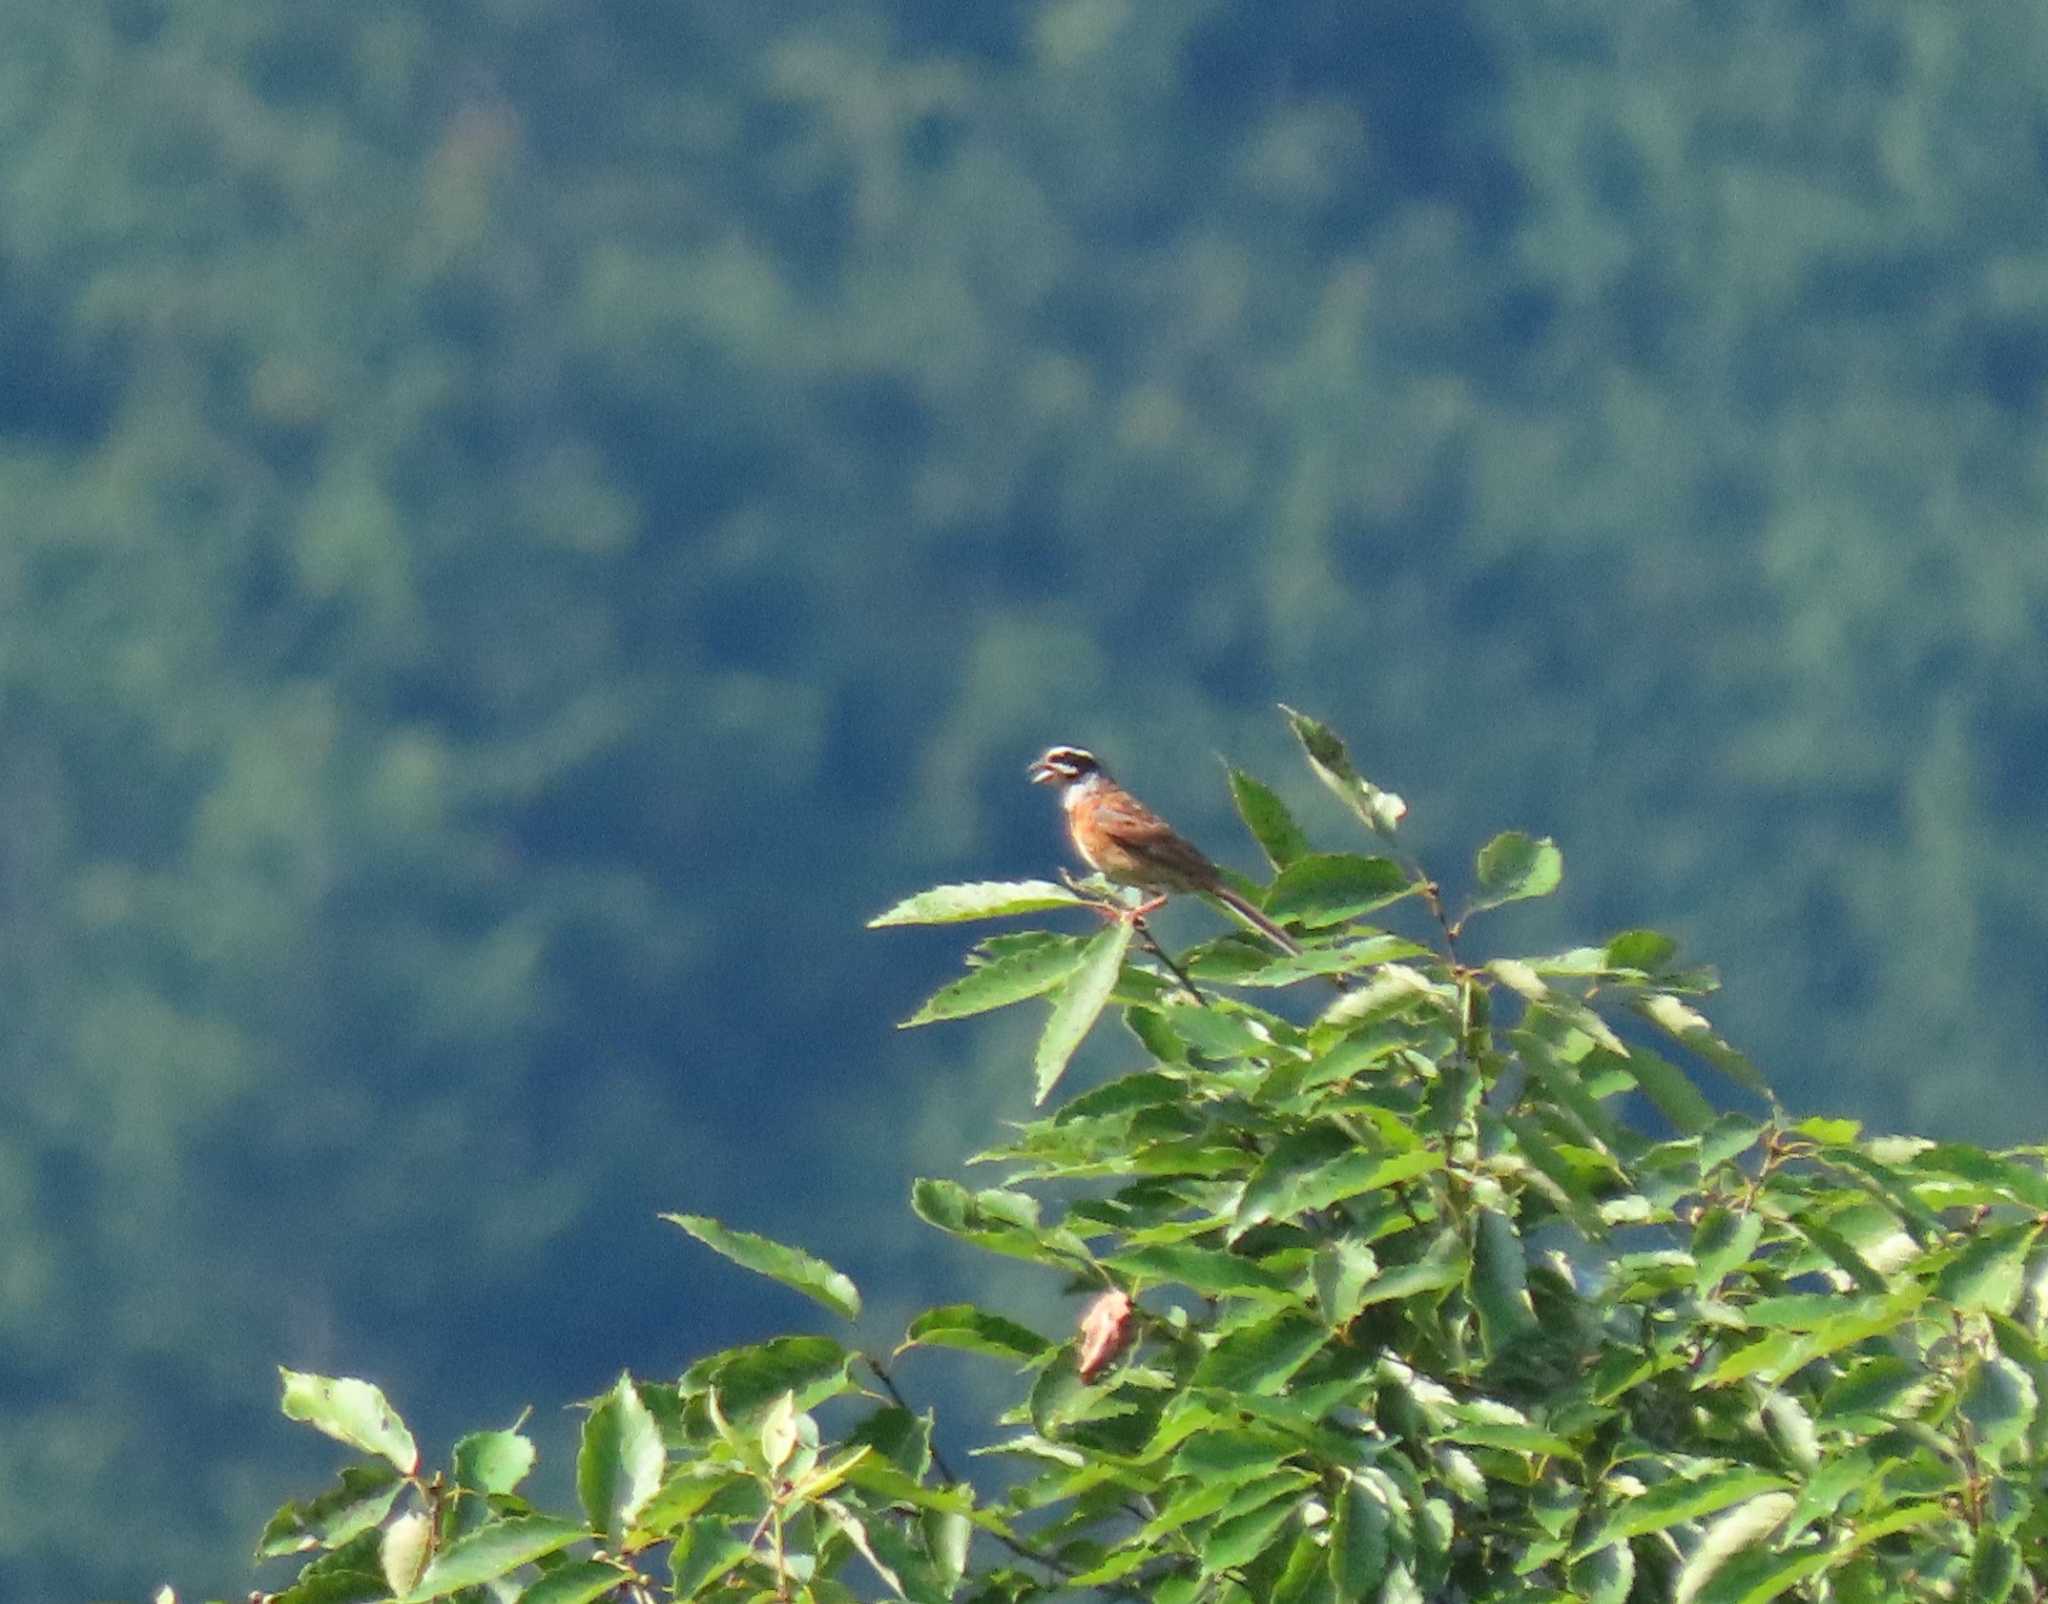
(527, 523)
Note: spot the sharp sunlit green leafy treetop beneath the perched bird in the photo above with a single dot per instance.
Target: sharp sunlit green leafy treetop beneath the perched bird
(1447, 1288)
